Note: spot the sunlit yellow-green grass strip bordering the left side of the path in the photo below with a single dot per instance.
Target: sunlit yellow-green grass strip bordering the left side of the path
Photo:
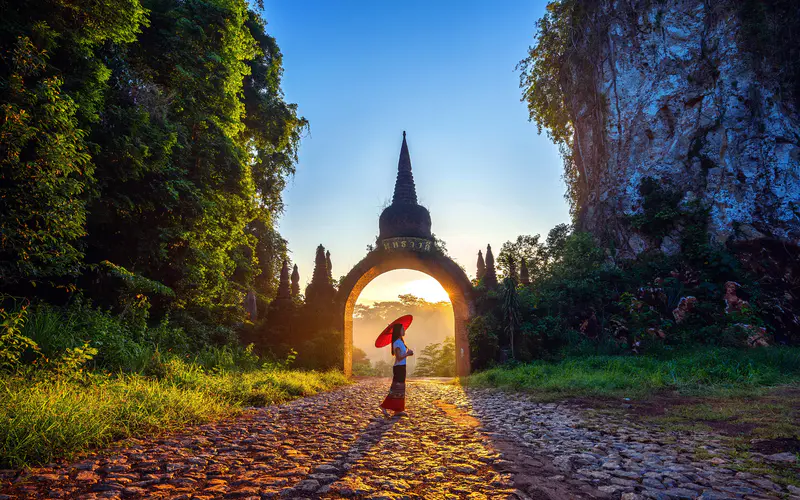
(44, 418)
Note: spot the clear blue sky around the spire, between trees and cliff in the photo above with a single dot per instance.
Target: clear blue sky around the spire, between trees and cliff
(362, 72)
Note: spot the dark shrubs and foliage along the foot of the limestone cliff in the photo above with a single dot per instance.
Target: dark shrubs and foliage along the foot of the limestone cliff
(580, 301)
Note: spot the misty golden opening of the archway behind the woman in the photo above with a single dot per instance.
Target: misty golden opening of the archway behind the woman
(431, 336)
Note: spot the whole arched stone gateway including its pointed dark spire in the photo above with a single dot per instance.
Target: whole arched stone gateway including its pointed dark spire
(405, 241)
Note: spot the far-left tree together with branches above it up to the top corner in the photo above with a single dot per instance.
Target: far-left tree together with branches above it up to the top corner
(52, 83)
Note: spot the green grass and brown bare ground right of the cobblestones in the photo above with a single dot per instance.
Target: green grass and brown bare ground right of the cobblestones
(751, 398)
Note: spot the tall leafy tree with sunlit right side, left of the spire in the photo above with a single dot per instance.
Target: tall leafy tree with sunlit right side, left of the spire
(194, 153)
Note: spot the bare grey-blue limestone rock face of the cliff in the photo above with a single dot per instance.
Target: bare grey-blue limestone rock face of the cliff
(683, 103)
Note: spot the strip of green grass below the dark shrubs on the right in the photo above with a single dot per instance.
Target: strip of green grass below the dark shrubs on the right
(708, 371)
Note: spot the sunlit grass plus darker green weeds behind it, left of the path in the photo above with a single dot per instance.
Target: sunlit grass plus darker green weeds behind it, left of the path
(76, 378)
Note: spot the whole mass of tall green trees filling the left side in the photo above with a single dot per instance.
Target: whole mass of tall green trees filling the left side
(148, 134)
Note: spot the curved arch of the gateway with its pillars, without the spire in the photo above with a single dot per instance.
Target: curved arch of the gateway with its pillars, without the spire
(439, 267)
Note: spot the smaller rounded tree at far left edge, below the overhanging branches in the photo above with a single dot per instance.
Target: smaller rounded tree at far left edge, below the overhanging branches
(45, 169)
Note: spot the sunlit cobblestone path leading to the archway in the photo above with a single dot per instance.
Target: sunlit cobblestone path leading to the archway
(456, 444)
